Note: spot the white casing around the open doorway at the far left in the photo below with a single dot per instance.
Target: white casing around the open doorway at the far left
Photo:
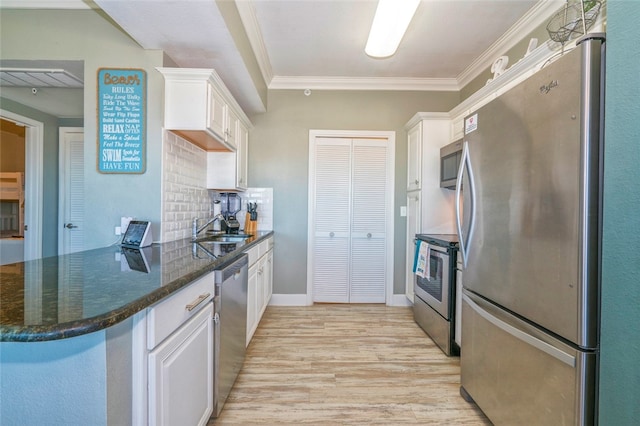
(34, 147)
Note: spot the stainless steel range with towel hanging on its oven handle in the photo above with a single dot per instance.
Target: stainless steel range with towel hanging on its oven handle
(434, 289)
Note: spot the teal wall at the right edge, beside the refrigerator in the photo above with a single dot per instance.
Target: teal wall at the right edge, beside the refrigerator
(620, 324)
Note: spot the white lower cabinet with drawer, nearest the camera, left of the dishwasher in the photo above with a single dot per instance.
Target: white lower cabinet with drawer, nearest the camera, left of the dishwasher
(180, 359)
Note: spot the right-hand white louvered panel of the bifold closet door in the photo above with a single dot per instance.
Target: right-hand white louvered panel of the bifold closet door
(368, 224)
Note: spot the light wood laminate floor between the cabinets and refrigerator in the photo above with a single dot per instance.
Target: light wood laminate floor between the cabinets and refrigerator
(333, 364)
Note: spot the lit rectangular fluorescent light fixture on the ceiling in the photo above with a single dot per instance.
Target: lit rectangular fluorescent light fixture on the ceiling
(389, 25)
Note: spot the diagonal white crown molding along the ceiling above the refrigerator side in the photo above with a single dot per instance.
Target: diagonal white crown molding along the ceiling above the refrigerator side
(535, 17)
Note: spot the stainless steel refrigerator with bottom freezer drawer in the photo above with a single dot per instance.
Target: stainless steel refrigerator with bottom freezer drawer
(529, 228)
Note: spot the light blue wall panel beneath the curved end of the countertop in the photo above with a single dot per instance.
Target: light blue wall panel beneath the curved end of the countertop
(61, 382)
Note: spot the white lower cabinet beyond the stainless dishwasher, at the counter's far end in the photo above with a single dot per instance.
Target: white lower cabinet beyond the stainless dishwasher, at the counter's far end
(260, 286)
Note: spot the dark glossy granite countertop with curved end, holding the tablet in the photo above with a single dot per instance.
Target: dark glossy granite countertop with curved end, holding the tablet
(64, 296)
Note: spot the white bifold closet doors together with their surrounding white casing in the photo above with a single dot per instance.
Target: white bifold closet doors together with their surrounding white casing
(350, 238)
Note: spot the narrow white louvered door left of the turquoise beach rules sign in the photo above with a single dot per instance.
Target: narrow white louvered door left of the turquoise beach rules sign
(71, 199)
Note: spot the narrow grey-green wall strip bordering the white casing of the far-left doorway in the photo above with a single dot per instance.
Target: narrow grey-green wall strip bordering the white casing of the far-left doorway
(49, 172)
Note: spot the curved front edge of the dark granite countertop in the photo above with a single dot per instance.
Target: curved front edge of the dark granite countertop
(89, 325)
